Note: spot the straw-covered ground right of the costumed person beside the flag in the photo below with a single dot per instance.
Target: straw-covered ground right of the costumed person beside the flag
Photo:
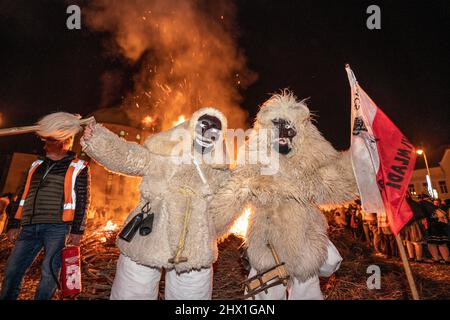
(350, 282)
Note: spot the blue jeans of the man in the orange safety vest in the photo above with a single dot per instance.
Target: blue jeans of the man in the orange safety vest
(31, 240)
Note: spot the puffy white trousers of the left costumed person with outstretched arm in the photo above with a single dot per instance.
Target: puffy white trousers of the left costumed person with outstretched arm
(137, 282)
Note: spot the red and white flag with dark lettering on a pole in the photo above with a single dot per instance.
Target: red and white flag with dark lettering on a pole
(383, 159)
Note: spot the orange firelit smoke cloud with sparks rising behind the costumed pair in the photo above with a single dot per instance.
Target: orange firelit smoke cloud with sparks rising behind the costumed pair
(185, 52)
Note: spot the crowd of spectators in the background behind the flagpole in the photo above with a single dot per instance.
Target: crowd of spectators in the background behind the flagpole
(425, 236)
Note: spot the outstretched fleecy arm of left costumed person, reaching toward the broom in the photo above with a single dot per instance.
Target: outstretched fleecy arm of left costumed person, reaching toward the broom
(115, 153)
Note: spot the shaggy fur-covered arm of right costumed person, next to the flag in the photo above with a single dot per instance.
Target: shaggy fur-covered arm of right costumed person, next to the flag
(338, 183)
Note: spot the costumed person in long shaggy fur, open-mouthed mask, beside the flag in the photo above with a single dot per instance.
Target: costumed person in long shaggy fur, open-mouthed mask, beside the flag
(285, 204)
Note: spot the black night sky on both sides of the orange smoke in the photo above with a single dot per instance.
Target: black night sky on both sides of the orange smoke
(302, 45)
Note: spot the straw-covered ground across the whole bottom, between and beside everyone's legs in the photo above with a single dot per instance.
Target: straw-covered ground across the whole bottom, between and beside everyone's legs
(99, 256)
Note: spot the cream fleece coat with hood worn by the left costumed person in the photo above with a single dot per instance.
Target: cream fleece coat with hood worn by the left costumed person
(162, 184)
